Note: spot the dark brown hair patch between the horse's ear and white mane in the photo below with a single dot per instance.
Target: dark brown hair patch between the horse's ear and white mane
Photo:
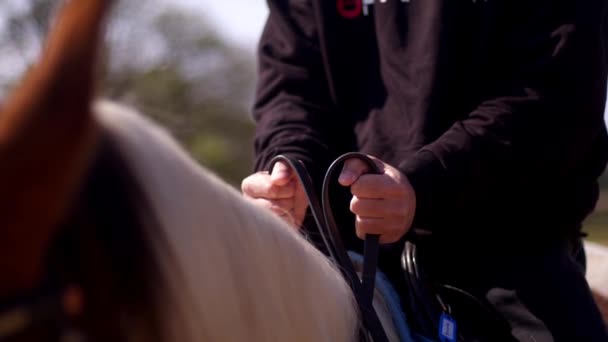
(102, 247)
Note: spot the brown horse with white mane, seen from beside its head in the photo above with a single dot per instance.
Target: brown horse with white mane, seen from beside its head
(111, 231)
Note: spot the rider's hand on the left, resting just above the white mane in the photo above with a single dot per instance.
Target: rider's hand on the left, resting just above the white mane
(280, 191)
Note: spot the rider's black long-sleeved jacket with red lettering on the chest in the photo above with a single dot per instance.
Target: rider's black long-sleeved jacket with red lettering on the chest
(492, 108)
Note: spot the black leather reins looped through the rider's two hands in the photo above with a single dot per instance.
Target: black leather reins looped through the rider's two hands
(363, 290)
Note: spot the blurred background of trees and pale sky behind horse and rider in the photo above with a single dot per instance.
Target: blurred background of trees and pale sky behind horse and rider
(188, 64)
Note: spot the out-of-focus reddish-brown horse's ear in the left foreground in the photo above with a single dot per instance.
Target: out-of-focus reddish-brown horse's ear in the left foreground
(47, 135)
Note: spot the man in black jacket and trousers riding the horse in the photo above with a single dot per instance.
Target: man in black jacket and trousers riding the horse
(486, 121)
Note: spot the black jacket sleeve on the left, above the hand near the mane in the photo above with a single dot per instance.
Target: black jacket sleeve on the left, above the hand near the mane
(293, 109)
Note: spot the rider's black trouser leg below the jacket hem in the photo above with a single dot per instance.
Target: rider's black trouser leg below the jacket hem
(542, 294)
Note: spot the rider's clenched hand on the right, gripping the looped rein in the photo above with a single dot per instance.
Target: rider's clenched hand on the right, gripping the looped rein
(384, 204)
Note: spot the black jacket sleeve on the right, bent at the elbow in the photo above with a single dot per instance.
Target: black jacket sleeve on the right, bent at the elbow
(542, 123)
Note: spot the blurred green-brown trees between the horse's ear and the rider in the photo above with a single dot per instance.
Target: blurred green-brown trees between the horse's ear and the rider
(190, 81)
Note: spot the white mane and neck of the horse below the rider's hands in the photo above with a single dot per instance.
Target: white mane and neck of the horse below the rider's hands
(235, 272)
